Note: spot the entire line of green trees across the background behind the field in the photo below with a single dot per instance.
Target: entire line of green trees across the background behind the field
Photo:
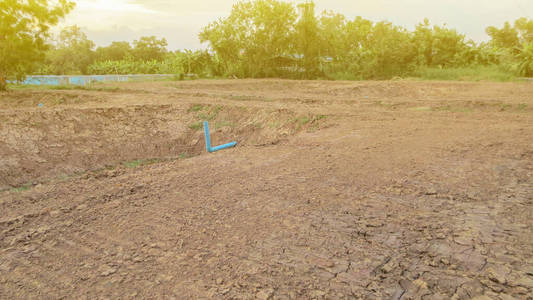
(261, 38)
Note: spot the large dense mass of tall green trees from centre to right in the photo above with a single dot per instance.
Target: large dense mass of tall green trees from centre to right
(257, 40)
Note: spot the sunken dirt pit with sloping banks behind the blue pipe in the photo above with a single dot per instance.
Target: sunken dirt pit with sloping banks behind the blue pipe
(71, 133)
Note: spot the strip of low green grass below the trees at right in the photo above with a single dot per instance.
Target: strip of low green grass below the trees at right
(476, 73)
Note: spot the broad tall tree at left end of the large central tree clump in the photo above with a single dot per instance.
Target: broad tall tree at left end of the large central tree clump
(250, 40)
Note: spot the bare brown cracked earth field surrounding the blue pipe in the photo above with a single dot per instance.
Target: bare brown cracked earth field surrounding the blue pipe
(336, 190)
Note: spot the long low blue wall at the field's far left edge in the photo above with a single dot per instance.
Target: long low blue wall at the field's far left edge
(88, 79)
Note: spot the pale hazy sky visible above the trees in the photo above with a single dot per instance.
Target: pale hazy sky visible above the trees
(180, 21)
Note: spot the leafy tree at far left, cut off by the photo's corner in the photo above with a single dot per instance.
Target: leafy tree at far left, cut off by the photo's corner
(24, 27)
